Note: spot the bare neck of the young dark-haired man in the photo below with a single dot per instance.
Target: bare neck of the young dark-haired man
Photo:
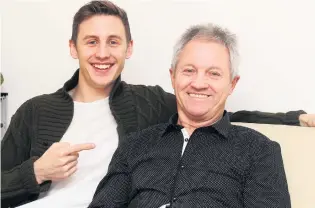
(87, 93)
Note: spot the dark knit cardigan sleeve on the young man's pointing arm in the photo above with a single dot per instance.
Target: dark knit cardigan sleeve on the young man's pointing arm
(17, 172)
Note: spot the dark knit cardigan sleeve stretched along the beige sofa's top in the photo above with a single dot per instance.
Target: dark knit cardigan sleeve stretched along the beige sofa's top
(289, 118)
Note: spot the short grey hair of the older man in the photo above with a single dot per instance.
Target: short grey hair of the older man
(209, 32)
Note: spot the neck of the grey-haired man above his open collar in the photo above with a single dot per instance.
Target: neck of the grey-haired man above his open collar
(191, 124)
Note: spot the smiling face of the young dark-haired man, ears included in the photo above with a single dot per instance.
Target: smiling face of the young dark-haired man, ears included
(101, 48)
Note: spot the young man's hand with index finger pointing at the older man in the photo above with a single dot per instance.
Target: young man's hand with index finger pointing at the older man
(59, 161)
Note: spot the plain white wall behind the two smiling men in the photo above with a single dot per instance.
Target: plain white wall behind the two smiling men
(276, 45)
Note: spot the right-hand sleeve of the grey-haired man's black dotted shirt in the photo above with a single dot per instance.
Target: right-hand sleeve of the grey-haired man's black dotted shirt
(266, 184)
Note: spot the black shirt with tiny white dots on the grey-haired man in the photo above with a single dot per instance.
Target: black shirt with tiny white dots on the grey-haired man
(223, 165)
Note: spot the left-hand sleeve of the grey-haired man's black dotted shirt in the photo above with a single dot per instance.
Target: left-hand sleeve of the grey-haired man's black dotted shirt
(114, 190)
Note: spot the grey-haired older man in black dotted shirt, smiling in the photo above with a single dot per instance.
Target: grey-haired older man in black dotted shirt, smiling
(198, 159)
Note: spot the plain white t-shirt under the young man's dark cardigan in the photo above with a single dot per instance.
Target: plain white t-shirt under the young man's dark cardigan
(92, 123)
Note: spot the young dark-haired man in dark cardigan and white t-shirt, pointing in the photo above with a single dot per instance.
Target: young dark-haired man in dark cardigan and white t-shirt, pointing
(88, 116)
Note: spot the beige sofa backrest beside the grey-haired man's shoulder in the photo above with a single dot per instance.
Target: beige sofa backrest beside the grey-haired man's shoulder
(298, 152)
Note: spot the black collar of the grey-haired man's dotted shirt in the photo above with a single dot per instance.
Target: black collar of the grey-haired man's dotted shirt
(222, 126)
